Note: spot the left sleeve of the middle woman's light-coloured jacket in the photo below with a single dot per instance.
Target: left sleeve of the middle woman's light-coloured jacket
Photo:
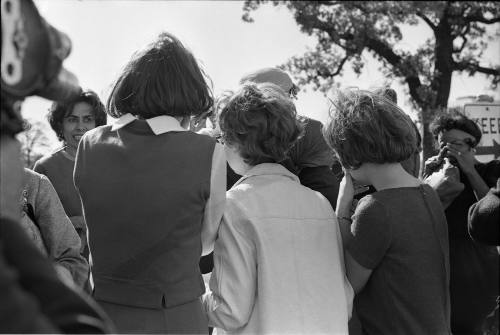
(234, 279)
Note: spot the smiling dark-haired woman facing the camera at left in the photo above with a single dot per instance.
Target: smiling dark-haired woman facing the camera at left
(70, 121)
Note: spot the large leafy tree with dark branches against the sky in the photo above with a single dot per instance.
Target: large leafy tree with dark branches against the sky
(346, 29)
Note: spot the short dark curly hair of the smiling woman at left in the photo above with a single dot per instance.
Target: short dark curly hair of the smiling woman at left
(59, 110)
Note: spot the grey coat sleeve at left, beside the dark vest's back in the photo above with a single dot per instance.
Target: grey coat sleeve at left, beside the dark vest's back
(60, 237)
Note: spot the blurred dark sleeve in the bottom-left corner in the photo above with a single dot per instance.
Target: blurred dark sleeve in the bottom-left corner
(34, 300)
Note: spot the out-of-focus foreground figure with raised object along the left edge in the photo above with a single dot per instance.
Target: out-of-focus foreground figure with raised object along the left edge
(34, 300)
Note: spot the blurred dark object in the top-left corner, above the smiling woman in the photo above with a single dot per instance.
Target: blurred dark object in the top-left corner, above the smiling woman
(32, 55)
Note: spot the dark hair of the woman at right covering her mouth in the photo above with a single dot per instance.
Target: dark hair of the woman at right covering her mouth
(455, 120)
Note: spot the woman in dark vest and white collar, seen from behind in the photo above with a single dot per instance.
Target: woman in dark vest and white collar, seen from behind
(153, 193)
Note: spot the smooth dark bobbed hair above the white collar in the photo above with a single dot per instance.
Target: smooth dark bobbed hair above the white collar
(162, 79)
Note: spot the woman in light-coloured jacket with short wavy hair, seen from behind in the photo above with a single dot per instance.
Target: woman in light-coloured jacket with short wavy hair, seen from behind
(279, 248)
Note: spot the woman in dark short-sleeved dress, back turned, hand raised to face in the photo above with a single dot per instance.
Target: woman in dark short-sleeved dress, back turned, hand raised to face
(397, 235)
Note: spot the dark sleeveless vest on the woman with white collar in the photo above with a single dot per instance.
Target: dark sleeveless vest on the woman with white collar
(144, 197)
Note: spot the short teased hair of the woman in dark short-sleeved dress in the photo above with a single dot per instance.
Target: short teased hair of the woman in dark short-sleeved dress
(365, 127)
